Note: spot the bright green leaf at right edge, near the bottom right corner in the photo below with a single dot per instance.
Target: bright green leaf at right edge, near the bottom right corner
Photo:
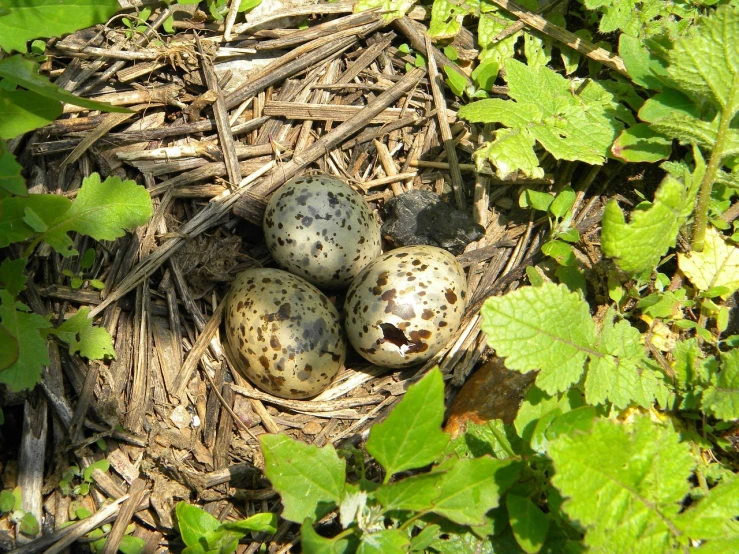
(714, 517)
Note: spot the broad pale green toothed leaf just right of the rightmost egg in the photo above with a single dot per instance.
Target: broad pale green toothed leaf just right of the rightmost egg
(547, 328)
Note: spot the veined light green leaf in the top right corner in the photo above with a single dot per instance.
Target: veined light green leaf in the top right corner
(702, 65)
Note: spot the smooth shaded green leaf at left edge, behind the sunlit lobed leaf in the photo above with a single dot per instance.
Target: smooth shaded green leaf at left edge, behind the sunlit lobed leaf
(13, 227)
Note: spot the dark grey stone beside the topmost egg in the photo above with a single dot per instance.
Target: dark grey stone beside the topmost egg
(421, 217)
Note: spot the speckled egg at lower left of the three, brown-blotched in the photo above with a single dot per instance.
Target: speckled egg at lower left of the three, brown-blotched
(284, 332)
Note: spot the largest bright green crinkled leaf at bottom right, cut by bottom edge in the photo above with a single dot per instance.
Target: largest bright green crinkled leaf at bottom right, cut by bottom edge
(624, 483)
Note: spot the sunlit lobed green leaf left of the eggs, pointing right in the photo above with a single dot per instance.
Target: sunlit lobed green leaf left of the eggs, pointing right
(102, 210)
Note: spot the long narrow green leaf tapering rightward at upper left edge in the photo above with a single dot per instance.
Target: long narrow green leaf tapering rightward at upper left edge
(24, 72)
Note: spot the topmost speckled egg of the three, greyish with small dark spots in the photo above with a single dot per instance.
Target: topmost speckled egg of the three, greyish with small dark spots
(317, 227)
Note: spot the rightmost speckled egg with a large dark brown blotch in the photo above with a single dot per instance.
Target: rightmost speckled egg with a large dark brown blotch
(404, 306)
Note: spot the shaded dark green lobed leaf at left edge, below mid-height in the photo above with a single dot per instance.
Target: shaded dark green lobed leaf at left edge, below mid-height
(28, 331)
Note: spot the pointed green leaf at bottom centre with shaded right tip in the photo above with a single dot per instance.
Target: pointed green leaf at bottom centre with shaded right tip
(471, 487)
